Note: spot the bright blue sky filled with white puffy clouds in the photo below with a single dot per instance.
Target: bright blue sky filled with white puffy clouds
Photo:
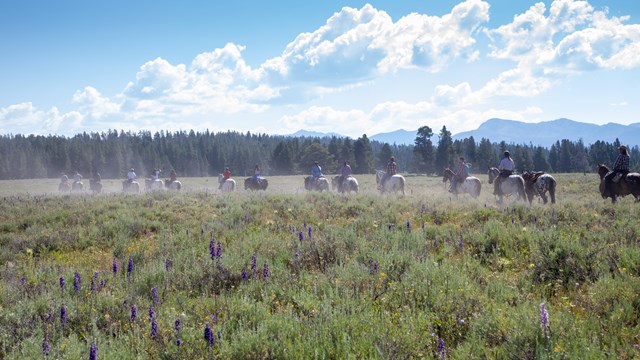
(351, 67)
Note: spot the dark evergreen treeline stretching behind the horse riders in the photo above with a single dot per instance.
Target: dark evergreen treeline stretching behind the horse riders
(205, 154)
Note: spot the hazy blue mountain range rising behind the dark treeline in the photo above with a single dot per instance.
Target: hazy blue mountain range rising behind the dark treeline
(544, 133)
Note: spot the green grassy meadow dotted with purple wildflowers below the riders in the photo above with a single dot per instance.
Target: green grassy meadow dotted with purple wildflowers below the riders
(289, 274)
